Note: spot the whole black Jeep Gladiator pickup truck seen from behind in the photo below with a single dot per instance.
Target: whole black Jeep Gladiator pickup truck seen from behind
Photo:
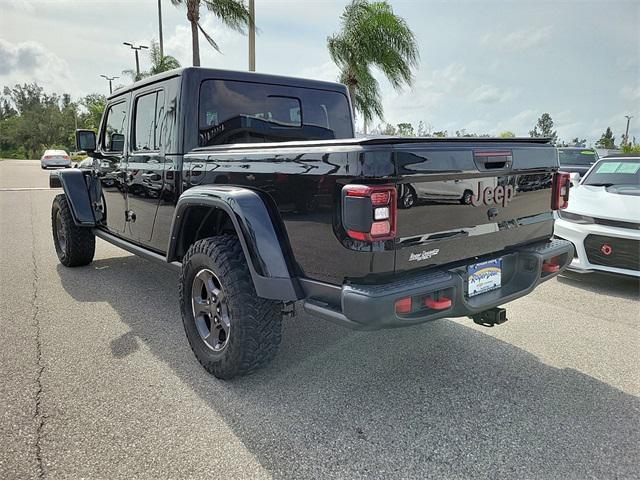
(255, 187)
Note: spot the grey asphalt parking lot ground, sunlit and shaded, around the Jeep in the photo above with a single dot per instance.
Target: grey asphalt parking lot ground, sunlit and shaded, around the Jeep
(98, 381)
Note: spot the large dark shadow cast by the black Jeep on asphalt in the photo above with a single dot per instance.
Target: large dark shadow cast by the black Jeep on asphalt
(438, 400)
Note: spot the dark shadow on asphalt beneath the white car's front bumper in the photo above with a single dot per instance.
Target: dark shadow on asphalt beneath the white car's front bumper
(620, 286)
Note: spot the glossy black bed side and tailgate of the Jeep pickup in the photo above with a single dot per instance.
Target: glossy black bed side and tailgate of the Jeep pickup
(305, 180)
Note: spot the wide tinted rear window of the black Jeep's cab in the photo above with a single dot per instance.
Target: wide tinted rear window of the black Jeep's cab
(241, 112)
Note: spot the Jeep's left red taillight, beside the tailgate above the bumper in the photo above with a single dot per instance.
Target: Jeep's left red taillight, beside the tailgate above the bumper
(369, 212)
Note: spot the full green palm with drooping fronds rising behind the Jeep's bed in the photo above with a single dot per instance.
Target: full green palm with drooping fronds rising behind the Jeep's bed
(371, 35)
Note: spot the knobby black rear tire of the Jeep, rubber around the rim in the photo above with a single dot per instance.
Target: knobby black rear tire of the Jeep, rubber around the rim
(256, 323)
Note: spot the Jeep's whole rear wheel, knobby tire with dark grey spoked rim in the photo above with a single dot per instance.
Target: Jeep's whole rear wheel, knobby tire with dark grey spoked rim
(231, 330)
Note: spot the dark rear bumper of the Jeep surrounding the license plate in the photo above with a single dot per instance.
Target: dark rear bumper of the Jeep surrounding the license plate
(372, 307)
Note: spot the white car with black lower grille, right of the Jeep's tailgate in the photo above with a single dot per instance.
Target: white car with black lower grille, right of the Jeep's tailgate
(603, 217)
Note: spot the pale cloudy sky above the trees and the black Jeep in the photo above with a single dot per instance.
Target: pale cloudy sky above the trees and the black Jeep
(486, 66)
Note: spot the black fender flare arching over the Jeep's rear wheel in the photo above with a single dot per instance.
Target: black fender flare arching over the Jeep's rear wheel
(259, 230)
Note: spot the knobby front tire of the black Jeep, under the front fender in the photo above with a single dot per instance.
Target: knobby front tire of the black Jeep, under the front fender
(79, 244)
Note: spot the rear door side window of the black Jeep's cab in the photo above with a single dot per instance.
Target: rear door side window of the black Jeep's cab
(148, 114)
